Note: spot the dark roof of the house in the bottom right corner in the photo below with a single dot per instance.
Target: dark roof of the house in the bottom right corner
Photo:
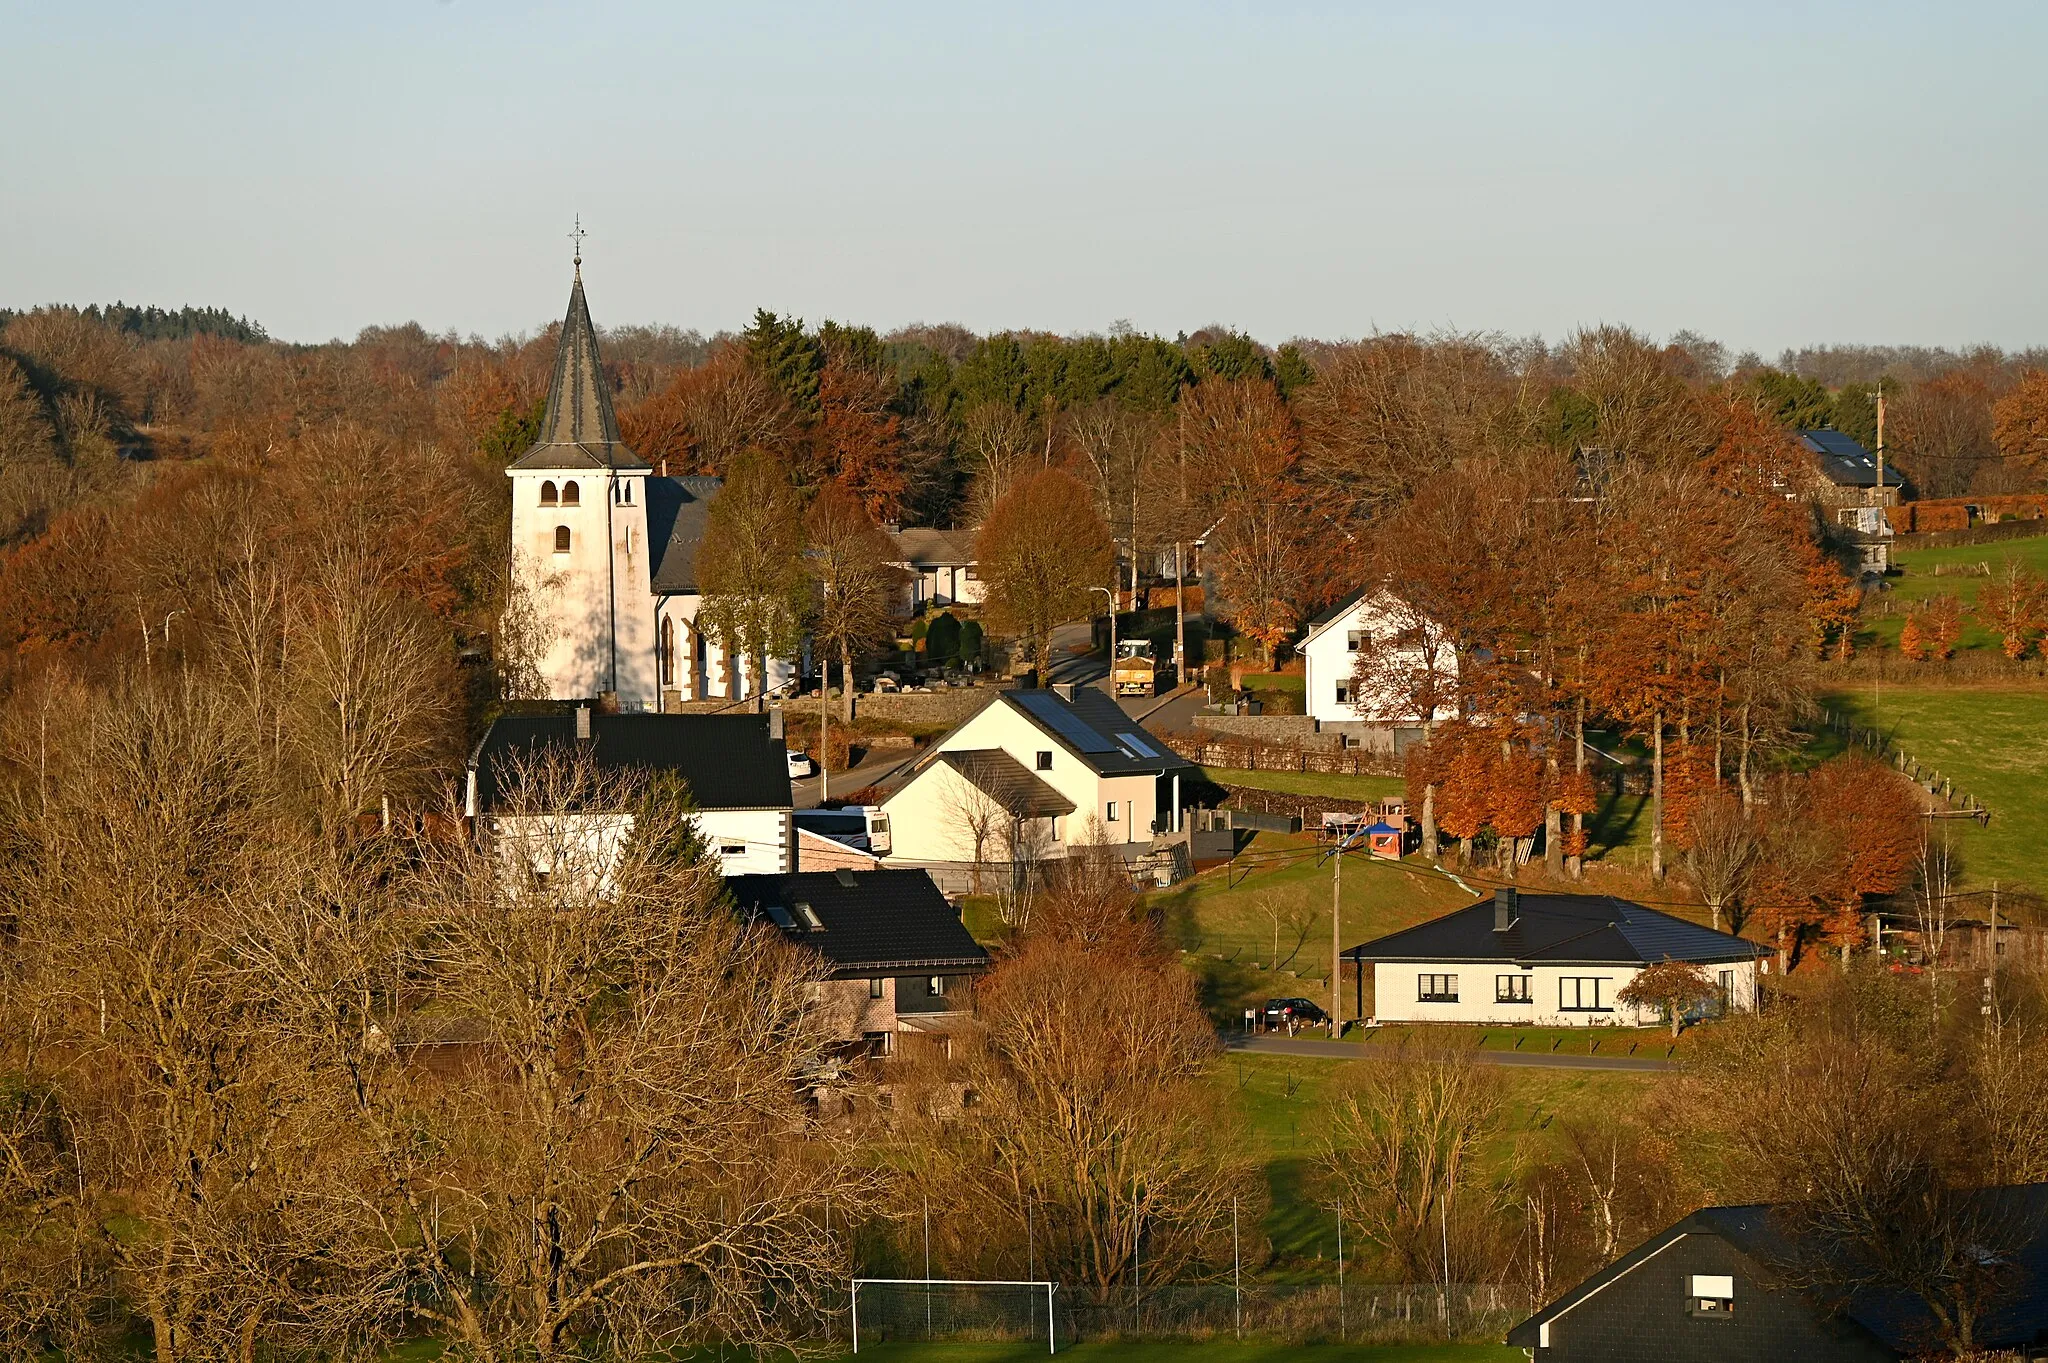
(1900, 1321)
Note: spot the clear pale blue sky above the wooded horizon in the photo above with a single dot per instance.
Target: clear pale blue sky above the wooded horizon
(1764, 173)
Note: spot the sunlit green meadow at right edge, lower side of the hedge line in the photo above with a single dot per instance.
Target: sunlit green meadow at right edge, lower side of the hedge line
(1994, 744)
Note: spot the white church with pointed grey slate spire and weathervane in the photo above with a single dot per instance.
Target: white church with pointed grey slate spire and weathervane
(605, 558)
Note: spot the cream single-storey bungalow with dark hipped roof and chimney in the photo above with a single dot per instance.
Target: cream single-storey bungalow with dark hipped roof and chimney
(1553, 961)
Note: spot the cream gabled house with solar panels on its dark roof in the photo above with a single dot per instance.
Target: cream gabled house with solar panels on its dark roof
(1033, 775)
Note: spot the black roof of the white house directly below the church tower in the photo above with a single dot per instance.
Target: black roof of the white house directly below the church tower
(726, 760)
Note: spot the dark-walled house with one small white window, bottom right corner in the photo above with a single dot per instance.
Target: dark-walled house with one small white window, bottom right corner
(1715, 1288)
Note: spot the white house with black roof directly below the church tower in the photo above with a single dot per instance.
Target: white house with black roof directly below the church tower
(734, 768)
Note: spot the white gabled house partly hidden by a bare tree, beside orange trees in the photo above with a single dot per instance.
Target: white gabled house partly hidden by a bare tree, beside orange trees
(1404, 650)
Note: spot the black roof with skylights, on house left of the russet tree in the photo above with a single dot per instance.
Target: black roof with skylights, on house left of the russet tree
(880, 922)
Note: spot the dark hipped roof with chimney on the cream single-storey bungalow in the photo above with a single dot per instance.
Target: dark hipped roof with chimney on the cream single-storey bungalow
(1592, 930)
